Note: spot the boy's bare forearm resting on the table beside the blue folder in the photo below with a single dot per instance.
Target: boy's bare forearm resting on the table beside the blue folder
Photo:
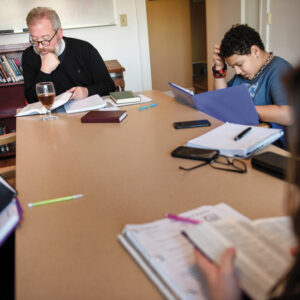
(276, 114)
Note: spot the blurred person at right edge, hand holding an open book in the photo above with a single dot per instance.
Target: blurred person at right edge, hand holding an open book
(222, 280)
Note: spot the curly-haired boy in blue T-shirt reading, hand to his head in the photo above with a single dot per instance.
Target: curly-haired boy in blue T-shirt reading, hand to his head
(243, 50)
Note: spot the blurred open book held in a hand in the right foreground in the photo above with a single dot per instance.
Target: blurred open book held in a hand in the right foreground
(262, 249)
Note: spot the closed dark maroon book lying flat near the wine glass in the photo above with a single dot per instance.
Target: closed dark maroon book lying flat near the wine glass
(109, 116)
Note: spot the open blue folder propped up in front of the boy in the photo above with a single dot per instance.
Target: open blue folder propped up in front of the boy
(232, 104)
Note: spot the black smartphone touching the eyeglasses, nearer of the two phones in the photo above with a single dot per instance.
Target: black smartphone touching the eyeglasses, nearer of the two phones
(195, 153)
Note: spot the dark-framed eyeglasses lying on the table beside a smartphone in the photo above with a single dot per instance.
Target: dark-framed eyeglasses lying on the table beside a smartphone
(222, 163)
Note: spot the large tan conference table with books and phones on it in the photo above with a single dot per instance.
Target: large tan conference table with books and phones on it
(70, 250)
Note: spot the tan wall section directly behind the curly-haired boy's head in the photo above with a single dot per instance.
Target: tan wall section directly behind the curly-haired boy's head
(220, 16)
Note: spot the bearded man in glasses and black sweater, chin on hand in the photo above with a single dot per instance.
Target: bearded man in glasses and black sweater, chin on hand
(72, 65)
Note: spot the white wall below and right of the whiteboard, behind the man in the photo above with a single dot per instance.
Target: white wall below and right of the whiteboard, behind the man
(129, 45)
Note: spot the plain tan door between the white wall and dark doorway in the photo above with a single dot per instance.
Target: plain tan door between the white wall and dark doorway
(170, 43)
